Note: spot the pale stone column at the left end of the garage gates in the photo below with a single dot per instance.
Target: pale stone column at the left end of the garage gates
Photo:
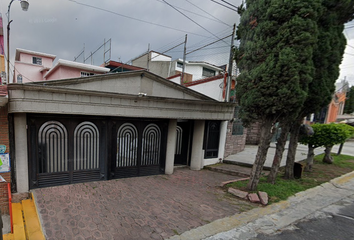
(21, 152)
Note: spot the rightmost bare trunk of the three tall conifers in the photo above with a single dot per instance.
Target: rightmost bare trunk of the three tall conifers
(290, 160)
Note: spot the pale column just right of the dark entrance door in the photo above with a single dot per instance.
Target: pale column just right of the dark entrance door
(197, 145)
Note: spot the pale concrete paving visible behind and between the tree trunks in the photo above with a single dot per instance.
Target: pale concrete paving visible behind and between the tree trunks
(248, 156)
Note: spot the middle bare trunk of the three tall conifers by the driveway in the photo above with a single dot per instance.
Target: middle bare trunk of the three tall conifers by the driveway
(279, 150)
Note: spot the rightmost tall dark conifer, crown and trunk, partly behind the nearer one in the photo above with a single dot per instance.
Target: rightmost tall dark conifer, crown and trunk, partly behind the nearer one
(327, 57)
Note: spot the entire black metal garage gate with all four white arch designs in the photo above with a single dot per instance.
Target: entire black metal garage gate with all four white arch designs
(71, 149)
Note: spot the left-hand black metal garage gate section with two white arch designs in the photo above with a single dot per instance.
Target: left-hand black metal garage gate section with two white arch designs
(65, 150)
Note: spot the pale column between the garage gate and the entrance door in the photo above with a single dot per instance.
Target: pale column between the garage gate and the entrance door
(171, 146)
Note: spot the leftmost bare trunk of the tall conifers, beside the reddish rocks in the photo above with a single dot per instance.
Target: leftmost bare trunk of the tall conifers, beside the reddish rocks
(265, 138)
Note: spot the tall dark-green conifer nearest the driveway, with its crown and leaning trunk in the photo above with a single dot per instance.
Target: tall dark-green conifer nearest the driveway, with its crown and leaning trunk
(275, 61)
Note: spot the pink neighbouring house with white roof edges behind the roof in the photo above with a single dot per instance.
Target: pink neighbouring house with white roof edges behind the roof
(33, 66)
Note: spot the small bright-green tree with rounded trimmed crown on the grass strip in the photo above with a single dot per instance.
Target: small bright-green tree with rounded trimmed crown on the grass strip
(325, 135)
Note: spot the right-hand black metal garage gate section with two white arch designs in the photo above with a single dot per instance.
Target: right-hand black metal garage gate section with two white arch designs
(141, 148)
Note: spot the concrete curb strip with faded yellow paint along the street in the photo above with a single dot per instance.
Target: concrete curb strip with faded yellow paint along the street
(266, 220)
